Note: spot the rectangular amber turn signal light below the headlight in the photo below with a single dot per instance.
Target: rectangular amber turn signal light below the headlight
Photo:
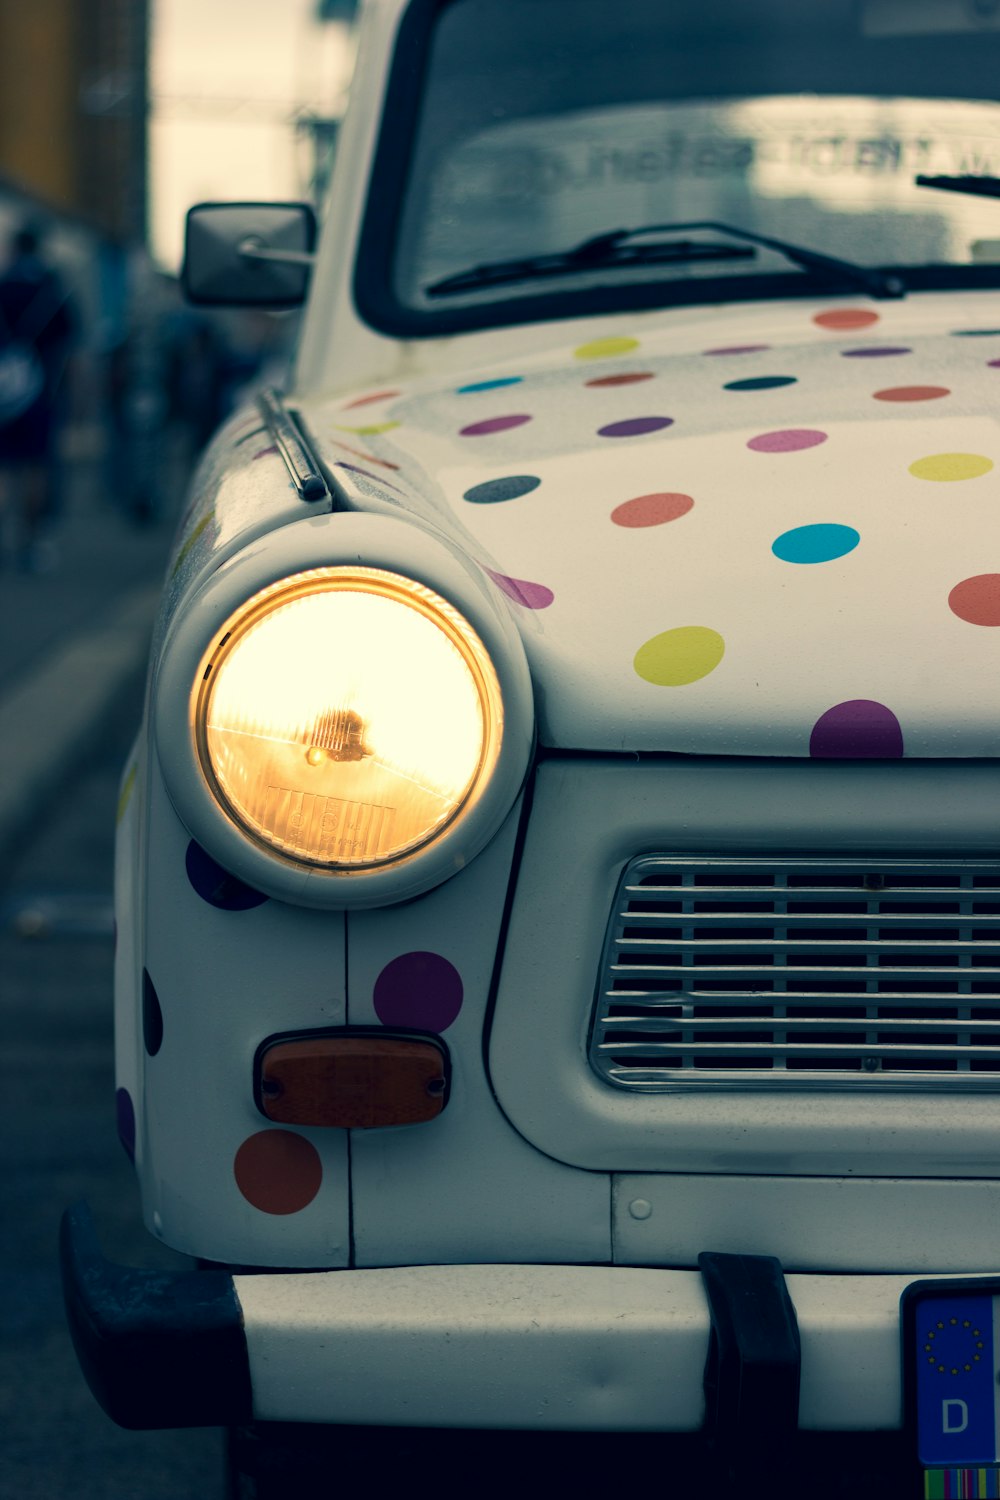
(352, 1079)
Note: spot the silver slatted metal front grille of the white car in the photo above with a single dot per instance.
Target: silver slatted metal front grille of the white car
(801, 974)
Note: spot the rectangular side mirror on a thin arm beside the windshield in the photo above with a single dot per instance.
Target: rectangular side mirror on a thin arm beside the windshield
(248, 254)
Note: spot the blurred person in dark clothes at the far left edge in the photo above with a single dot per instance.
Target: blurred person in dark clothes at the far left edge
(38, 328)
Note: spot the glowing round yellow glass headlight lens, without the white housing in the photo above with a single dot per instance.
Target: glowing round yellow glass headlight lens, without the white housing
(347, 716)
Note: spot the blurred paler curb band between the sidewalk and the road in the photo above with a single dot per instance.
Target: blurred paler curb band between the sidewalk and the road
(56, 710)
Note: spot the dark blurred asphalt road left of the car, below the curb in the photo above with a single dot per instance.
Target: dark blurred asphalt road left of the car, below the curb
(59, 1145)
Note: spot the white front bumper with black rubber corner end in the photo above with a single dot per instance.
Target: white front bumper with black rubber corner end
(518, 1348)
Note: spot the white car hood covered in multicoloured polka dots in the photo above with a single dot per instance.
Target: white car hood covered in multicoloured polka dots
(770, 533)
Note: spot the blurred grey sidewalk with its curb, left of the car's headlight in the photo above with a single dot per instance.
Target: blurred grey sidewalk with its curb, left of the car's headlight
(71, 638)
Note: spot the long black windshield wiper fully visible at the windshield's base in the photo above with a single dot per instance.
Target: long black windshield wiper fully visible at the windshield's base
(617, 250)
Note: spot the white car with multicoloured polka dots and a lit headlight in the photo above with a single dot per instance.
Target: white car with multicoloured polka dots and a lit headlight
(558, 976)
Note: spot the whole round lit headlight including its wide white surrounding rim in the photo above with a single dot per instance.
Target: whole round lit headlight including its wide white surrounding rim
(343, 712)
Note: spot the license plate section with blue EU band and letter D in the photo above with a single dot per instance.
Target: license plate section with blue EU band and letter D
(951, 1361)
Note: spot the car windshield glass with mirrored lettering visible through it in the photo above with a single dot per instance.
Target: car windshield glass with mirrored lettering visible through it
(540, 124)
